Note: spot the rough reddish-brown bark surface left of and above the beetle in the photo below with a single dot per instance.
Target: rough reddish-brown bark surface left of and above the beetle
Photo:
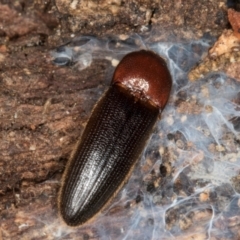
(43, 108)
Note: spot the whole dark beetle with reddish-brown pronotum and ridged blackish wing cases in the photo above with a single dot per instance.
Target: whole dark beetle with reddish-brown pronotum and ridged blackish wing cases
(115, 136)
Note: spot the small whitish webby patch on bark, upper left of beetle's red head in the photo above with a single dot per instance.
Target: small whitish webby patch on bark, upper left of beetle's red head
(81, 51)
